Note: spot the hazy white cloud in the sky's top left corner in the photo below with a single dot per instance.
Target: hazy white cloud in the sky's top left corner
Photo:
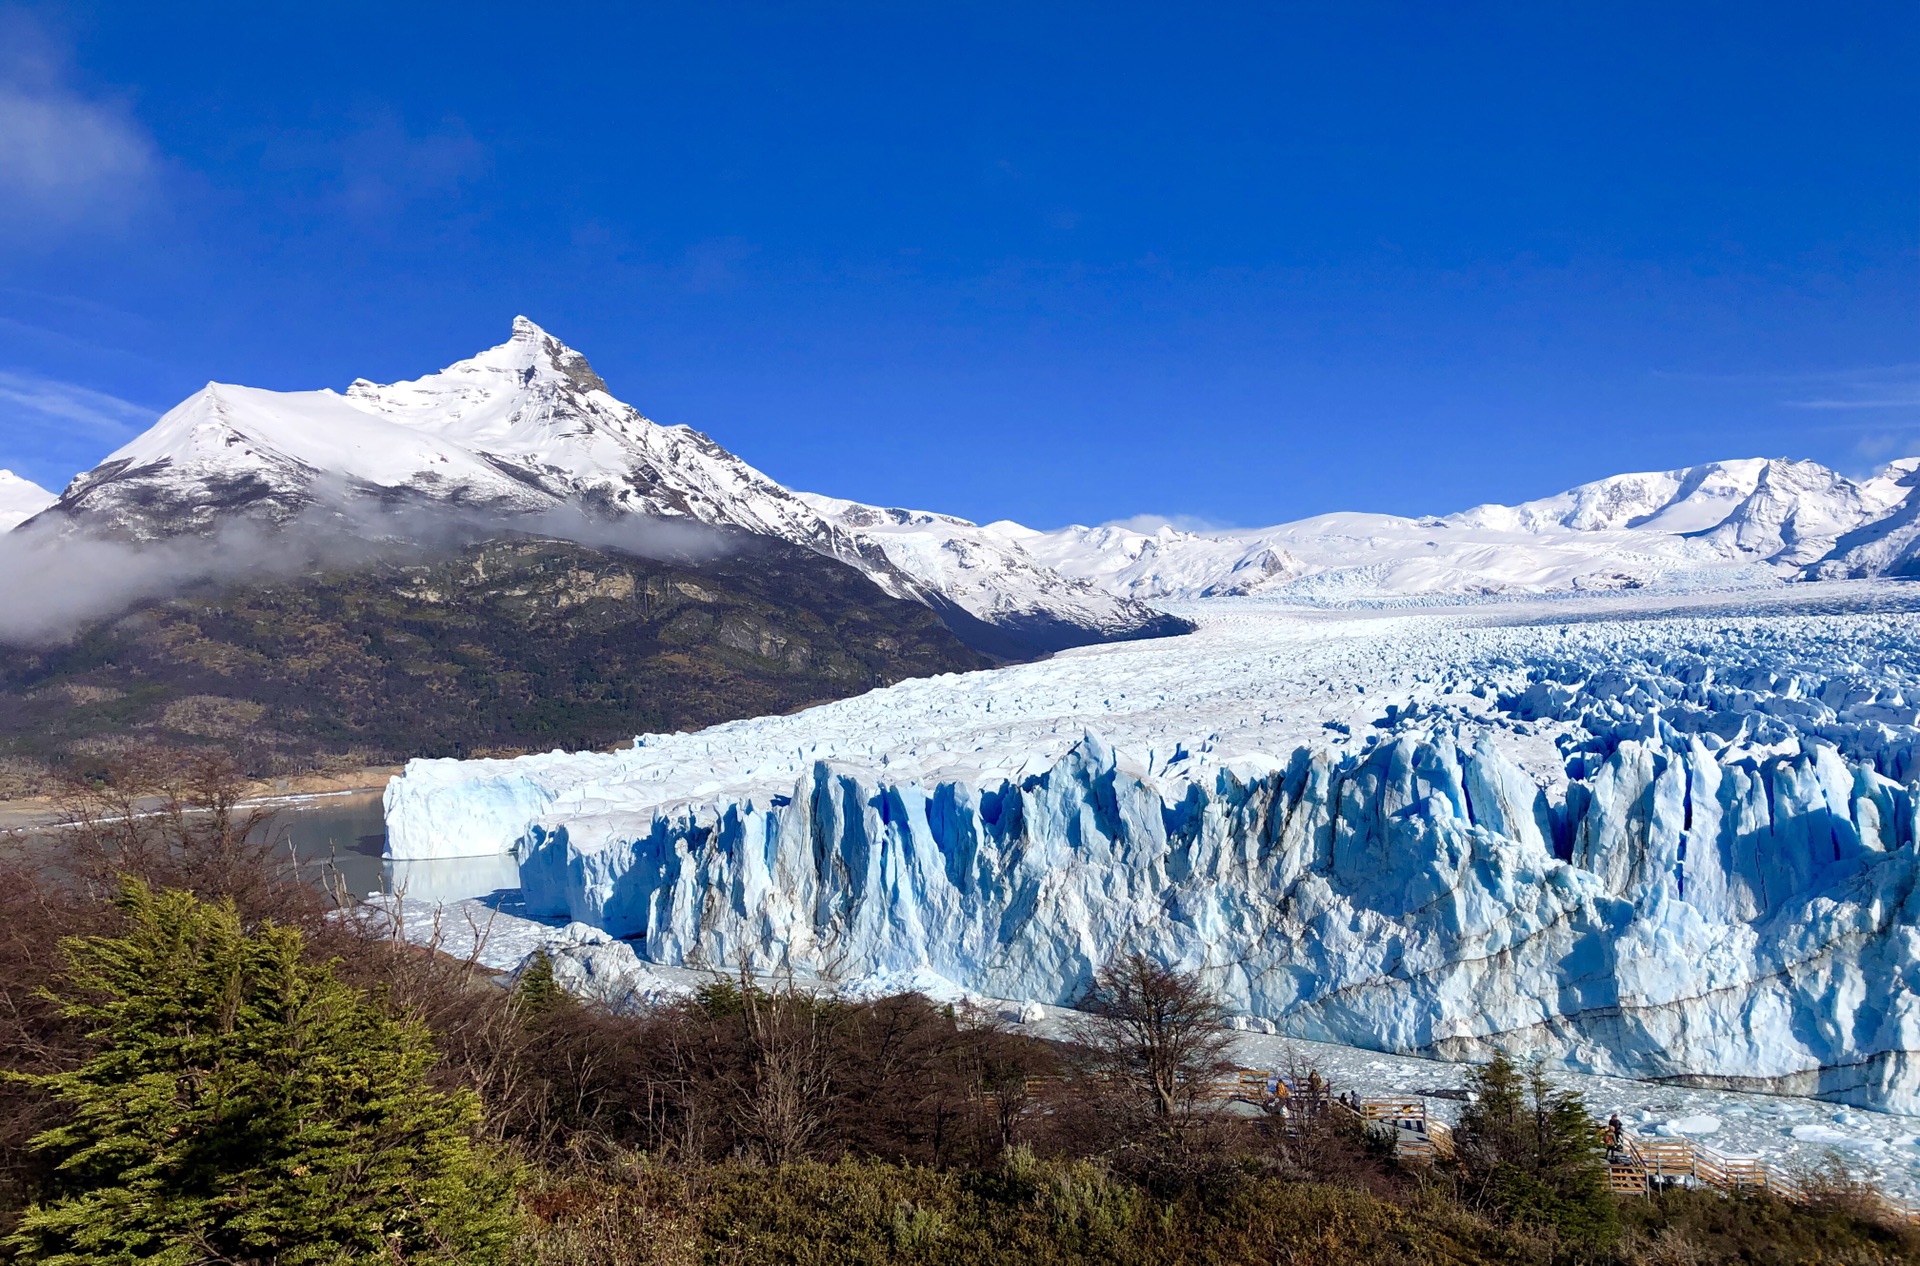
(66, 158)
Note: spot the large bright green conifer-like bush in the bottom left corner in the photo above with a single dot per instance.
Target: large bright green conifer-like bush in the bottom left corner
(249, 1108)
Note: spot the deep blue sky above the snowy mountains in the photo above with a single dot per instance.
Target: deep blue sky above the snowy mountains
(1036, 260)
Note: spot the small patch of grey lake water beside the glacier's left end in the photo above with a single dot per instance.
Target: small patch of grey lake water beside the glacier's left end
(348, 835)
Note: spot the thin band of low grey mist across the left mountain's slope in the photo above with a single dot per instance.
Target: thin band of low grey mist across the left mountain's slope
(57, 577)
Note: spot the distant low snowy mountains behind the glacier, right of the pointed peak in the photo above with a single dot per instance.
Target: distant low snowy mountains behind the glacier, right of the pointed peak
(1725, 523)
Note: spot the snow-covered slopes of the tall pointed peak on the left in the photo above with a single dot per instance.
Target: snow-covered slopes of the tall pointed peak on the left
(529, 427)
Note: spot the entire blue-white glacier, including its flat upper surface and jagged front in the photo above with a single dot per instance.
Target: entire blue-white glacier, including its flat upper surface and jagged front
(1656, 837)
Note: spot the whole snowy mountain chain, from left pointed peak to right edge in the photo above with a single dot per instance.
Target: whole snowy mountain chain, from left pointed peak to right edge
(529, 427)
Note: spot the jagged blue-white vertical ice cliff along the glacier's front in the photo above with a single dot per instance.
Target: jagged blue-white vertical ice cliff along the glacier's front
(1746, 925)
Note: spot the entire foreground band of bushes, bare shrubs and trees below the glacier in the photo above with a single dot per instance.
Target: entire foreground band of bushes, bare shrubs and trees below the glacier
(214, 1067)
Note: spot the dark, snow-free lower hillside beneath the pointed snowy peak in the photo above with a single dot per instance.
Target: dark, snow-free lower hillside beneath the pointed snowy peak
(510, 646)
